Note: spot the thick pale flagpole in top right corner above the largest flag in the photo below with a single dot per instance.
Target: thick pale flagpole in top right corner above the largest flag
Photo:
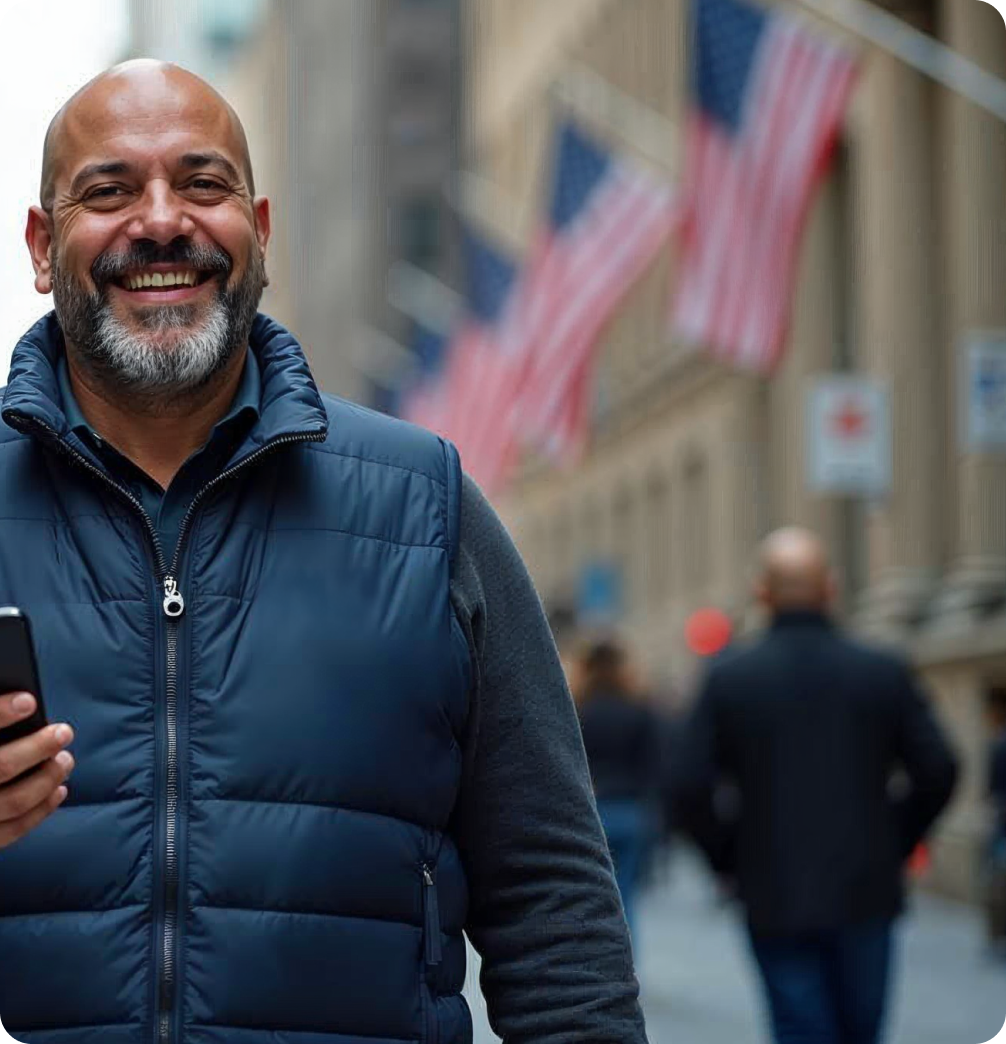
(918, 50)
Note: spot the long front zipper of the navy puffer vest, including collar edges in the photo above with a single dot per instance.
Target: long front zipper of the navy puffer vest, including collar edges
(174, 607)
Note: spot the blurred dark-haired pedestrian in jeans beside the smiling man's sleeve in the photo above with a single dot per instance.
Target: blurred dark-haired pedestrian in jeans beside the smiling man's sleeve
(624, 743)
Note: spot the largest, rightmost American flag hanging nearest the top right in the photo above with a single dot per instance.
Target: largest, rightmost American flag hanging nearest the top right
(769, 97)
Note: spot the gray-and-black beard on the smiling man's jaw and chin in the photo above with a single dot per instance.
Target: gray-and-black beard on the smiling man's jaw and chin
(167, 360)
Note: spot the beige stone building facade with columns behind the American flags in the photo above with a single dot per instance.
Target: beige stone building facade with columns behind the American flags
(691, 463)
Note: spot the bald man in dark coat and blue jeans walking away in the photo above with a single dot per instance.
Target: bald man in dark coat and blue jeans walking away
(808, 727)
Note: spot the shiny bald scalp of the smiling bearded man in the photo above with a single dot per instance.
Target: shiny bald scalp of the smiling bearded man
(141, 89)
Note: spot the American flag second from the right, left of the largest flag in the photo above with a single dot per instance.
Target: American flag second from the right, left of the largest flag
(607, 223)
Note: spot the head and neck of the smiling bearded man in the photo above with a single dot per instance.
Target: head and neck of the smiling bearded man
(159, 267)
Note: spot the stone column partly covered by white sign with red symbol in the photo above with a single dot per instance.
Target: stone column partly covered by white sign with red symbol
(898, 342)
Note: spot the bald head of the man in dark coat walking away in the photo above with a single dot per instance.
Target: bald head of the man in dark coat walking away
(796, 574)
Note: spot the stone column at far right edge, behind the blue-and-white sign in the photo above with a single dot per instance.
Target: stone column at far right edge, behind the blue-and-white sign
(974, 145)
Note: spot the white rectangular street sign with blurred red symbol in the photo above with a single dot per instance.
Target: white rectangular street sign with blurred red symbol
(849, 437)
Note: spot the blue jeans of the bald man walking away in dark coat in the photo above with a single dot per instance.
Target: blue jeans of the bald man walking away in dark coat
(829, 987)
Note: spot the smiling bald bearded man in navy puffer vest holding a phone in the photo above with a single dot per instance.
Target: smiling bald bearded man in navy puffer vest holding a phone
(320, 727)
